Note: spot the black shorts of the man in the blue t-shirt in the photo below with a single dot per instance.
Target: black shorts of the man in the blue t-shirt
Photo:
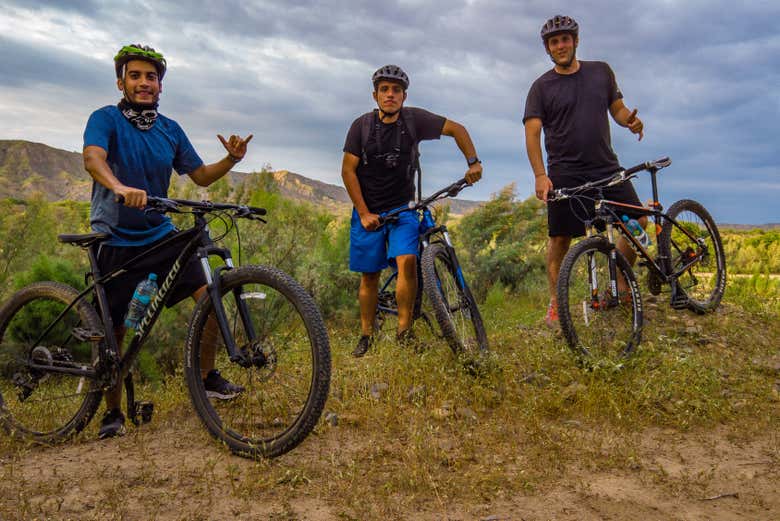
(120, 290)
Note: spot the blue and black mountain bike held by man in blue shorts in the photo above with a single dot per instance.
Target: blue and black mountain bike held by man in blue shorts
(451, 301)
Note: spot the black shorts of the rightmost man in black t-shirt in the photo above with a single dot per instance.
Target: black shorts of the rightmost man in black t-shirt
(565, 218)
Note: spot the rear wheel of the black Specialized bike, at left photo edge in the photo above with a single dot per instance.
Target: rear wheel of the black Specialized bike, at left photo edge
(36, 404)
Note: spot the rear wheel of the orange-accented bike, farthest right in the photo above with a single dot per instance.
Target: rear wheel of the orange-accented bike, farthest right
(695, 249)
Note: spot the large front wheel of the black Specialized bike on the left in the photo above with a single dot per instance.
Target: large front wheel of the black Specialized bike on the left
(277, 400)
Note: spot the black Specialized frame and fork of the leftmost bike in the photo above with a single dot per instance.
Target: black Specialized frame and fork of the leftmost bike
(115, 367)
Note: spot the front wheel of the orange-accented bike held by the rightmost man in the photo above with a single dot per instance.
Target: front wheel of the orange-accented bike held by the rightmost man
(597, 325)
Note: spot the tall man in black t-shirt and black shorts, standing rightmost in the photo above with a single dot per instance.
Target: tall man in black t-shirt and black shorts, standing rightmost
(570, 102)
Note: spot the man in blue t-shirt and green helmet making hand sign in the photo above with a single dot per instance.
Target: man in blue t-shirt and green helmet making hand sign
(130, 150)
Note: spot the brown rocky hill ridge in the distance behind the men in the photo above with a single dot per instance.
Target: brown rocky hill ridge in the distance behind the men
(28, 168)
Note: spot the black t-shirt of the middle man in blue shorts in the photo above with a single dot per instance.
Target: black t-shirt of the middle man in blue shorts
(385, 187)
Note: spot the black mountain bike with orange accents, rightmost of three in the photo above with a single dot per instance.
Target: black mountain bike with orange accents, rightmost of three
(599, 302)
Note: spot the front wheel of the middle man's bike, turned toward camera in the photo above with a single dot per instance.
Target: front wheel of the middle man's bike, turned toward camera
(453, 304)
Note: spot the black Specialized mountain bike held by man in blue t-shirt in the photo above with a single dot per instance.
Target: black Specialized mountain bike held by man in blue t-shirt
(58, 353)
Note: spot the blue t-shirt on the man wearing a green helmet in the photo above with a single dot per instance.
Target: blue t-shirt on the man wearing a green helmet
(141, 159)
